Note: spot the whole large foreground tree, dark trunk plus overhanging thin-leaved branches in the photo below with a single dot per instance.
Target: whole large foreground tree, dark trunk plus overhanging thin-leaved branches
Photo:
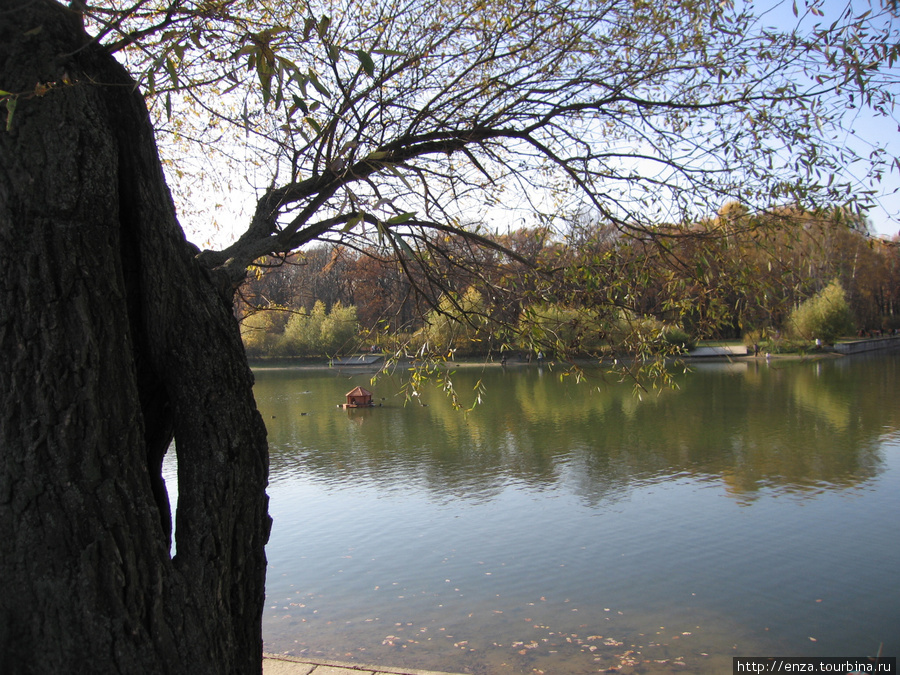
(394, 123)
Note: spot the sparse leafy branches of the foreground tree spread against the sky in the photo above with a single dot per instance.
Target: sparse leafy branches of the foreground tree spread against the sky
(352, 121)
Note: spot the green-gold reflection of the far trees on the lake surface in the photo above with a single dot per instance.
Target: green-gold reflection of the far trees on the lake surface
(797, 427)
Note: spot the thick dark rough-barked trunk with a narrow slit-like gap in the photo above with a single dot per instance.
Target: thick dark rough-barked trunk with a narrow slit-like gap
(114, 341)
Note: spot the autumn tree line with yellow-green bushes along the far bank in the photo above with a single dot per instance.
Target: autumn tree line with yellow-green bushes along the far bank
(782, 279)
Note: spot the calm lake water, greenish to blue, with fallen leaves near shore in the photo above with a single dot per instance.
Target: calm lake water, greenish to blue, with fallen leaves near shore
(571, 528)
